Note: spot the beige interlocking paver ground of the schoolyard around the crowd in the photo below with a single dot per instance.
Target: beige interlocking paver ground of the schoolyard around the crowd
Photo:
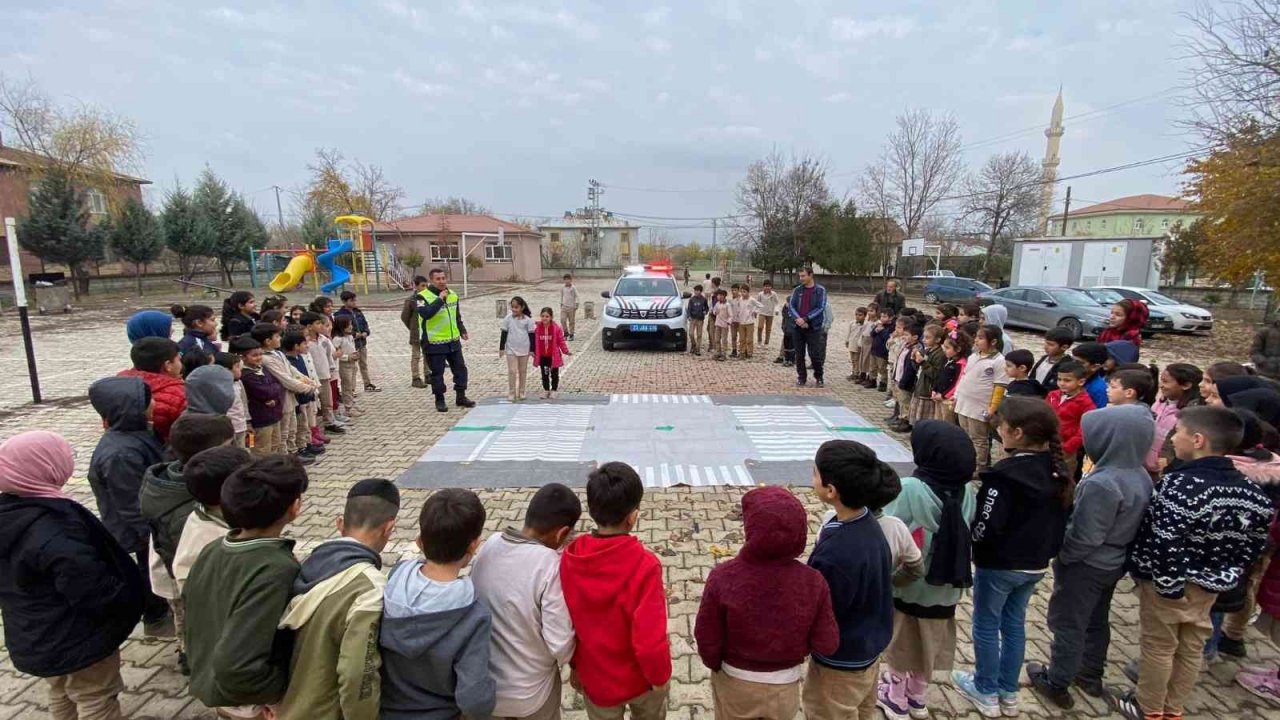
(679, 525)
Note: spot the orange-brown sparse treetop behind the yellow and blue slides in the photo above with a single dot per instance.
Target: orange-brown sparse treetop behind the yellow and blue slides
(340, 188)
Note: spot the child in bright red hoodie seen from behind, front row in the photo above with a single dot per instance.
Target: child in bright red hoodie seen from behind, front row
(616, 599)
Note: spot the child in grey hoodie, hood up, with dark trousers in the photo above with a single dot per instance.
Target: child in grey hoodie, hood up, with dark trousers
(1110, 504)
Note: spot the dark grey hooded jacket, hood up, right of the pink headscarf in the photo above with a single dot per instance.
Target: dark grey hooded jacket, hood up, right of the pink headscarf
(127, 449)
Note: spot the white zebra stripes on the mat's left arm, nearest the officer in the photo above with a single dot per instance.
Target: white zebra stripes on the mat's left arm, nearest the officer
(550, 434)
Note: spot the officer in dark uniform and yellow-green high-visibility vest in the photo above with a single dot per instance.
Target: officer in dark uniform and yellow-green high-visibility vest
(442, 334)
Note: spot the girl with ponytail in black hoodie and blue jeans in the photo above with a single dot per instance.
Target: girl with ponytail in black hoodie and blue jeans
(1022, 520)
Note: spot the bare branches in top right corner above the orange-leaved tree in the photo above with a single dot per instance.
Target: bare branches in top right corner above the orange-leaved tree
(1238, 72)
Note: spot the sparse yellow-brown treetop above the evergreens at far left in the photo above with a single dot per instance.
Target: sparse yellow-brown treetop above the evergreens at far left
(90, 145)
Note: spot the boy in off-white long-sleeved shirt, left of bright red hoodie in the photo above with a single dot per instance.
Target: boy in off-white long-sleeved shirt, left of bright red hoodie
(516, 573)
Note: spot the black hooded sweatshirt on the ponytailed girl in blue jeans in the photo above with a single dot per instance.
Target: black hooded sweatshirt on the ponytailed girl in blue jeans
(1021, 518)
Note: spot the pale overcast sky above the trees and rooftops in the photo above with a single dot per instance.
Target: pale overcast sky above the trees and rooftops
(516, 104)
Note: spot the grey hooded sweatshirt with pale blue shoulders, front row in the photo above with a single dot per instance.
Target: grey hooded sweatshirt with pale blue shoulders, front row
(436, 649)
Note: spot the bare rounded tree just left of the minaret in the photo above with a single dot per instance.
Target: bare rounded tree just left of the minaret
(1002, 199)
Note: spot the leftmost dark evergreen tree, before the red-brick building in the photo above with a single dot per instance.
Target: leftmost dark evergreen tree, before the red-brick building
(57, 227)
